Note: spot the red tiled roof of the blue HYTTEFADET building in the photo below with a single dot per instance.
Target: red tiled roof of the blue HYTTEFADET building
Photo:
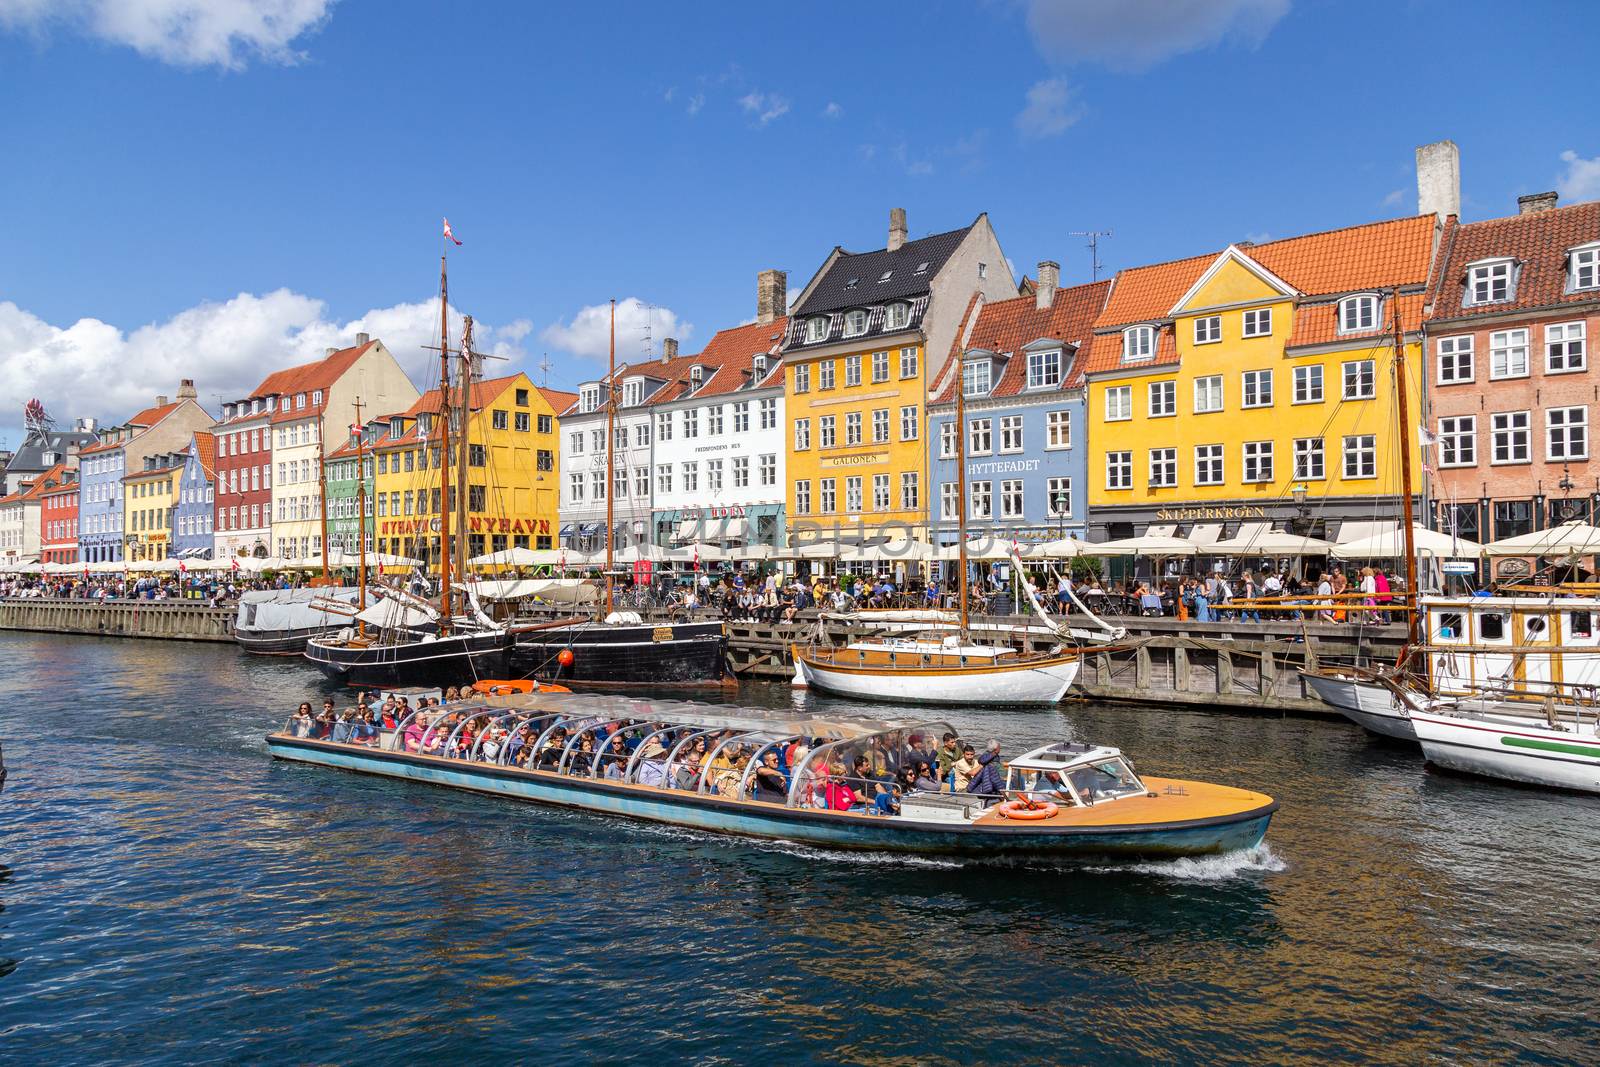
(1007, 327)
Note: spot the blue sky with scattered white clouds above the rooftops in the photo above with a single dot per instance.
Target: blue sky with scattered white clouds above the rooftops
(217, 190)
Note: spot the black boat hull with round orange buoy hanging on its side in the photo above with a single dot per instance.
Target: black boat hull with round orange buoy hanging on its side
(682, 653)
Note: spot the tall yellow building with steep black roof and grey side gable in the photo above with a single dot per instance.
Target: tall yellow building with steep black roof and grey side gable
(868, 337)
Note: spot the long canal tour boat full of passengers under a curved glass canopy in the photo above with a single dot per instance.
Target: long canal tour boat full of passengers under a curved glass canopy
(630, 757)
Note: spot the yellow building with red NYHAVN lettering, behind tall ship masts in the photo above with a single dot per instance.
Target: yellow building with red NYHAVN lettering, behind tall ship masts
(513, 473)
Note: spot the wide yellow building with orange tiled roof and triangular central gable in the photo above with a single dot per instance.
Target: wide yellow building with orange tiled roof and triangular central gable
(1222, 386)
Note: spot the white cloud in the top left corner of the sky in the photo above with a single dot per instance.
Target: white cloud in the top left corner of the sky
(182, 33)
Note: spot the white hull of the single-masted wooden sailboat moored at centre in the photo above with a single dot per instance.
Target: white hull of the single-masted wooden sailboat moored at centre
(1012, 684)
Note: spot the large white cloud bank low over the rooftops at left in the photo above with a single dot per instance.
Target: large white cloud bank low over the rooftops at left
(95, 369)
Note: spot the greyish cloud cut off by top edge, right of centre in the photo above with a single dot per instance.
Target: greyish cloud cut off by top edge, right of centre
(1137, 34)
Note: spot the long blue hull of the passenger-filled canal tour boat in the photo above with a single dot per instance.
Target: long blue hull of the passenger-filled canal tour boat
(828, 829)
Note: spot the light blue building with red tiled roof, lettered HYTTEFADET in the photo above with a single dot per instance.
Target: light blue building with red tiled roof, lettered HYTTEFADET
(1026, 430)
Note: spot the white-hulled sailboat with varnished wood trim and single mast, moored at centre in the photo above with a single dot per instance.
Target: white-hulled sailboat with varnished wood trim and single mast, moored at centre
(950, 669)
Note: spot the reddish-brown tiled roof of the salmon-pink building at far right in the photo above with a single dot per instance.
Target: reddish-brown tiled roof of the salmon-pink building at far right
(1538, 242)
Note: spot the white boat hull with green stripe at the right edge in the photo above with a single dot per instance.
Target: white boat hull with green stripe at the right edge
(1511, 751)
